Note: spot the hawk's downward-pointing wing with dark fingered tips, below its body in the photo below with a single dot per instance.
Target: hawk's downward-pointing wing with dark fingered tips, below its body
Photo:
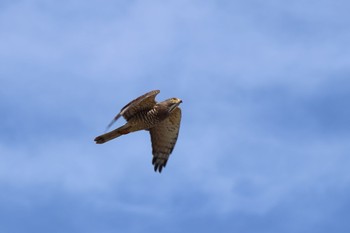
(163, 137)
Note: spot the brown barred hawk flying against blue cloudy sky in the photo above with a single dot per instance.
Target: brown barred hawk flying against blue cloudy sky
(161, 119)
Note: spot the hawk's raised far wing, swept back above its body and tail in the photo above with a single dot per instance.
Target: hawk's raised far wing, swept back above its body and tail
(144, 102)
